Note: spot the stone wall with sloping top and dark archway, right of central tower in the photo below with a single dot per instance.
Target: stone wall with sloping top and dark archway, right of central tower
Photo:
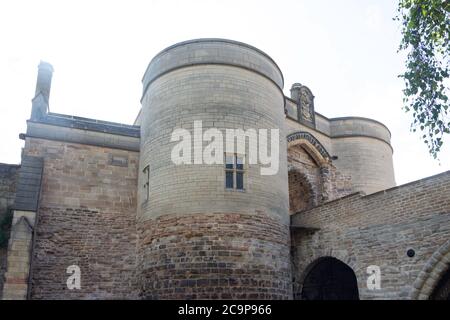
(379, 229)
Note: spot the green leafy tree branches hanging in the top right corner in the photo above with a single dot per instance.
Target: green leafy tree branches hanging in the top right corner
(426, 38)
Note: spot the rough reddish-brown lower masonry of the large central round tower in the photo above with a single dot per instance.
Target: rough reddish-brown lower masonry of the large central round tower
(214, 256)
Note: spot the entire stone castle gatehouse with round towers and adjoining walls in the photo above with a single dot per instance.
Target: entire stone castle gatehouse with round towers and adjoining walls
(176, 232)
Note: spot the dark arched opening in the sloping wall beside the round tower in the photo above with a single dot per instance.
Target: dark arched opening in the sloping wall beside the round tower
(330, 279)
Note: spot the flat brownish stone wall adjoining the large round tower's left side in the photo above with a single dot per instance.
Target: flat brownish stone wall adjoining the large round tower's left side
(86, 217)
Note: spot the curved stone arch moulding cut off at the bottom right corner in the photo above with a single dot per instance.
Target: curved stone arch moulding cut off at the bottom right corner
(432, 273)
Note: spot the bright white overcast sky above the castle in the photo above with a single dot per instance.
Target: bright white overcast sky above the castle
(345, 51)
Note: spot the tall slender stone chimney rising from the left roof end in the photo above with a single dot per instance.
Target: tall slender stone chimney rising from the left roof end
(41, 97)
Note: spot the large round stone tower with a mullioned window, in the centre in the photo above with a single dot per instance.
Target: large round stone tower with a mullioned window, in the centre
(211, 230)
